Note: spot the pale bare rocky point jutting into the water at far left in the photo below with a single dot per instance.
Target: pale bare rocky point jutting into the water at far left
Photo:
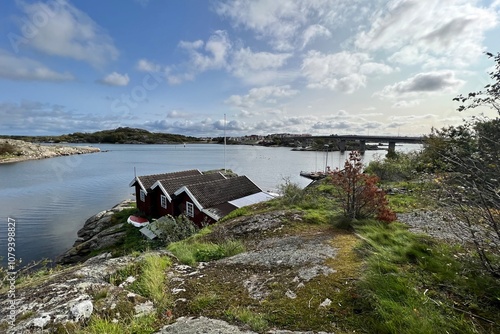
(23, 151)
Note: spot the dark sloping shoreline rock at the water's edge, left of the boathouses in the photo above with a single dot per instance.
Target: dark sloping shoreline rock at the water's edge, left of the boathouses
(98, 232)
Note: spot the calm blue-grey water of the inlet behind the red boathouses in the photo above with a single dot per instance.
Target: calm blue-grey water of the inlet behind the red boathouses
(51, 199)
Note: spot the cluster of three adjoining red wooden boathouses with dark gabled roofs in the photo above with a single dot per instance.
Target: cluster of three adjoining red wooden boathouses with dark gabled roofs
(204, 198)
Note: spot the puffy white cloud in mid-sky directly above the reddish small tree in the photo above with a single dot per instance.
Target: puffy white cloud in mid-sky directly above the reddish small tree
(343, 71)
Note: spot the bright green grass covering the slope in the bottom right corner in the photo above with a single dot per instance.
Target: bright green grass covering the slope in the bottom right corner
(415, 285)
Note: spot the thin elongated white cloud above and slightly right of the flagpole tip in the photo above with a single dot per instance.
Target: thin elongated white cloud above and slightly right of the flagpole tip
(267, 94)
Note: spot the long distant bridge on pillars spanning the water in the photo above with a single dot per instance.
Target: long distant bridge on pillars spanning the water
(362, 139)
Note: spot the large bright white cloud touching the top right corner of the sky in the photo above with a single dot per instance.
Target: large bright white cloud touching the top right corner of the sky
(432, 32)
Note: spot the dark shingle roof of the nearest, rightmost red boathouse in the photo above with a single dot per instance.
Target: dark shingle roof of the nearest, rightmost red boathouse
(213, 193)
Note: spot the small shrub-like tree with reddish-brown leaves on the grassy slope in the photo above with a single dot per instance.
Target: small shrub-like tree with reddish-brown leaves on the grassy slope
(358, 193)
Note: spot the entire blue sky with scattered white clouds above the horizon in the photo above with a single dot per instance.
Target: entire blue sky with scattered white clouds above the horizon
(320, 67)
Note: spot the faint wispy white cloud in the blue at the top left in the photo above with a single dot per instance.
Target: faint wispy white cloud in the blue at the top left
(66, 31)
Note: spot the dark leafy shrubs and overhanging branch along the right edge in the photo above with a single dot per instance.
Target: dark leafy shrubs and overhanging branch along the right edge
(468, 157)
